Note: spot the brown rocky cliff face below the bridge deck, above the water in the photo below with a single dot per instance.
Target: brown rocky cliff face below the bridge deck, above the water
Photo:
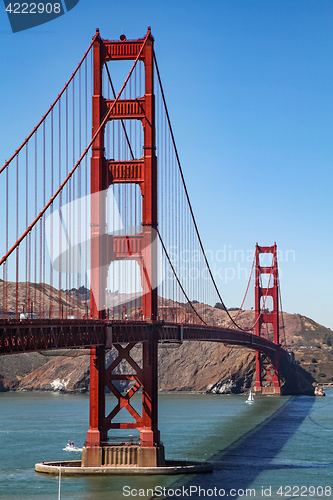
(192, 366)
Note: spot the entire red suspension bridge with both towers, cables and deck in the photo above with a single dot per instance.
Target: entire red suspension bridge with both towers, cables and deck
(105, 211)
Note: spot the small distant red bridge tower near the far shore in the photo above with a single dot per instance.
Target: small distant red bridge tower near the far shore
(267, 368)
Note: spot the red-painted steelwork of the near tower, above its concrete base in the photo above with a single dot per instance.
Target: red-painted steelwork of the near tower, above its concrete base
(140, 247)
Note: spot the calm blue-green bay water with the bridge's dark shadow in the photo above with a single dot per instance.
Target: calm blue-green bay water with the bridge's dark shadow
(274, 442)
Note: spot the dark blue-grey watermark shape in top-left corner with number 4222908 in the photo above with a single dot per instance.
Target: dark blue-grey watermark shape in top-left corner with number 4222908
(26, 15)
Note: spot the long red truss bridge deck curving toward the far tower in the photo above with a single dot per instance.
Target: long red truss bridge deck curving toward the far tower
(40, 335)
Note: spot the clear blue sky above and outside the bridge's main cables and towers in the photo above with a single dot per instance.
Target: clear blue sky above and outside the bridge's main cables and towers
(249, 88)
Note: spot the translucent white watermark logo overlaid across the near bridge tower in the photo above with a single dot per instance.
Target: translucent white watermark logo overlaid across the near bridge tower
(127, 253)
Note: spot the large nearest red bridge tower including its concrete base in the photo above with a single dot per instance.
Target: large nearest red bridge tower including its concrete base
(143, 172)
